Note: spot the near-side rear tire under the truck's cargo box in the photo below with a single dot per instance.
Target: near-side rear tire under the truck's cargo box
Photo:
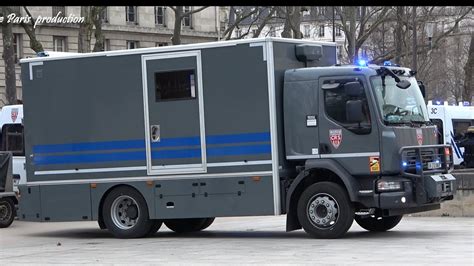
(125, 213)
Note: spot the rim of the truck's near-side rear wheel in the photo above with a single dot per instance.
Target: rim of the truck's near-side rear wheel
(125, 212)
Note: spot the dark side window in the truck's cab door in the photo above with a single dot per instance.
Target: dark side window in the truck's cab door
(335, 100)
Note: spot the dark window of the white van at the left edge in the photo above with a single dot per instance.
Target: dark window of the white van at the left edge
(12, 139)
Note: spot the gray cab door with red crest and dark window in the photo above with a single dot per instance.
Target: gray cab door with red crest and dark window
(354, 145)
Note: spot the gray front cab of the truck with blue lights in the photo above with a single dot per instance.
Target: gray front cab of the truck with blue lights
(367, 129)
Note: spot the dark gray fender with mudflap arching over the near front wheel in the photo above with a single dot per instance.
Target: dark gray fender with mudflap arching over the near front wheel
(351, 185)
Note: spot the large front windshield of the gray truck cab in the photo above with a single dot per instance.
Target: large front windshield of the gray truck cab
(399, 105)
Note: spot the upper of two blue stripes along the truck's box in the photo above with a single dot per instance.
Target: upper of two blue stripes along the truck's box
(140, 144)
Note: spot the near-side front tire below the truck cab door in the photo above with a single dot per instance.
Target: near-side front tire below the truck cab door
(325, 210)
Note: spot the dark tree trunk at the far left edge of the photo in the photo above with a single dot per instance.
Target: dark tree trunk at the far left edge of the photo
(9, 58)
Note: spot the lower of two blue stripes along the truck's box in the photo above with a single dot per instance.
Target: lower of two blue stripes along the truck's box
(141, 156)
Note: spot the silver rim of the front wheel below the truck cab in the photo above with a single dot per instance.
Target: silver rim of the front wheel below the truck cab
(322, 211)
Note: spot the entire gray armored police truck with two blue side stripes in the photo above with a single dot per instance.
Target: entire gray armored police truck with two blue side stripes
(183, 134)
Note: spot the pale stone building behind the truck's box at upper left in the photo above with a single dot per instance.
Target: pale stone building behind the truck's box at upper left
(124, 27)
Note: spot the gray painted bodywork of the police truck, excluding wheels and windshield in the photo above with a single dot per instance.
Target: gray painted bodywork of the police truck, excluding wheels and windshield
(242, 143)
